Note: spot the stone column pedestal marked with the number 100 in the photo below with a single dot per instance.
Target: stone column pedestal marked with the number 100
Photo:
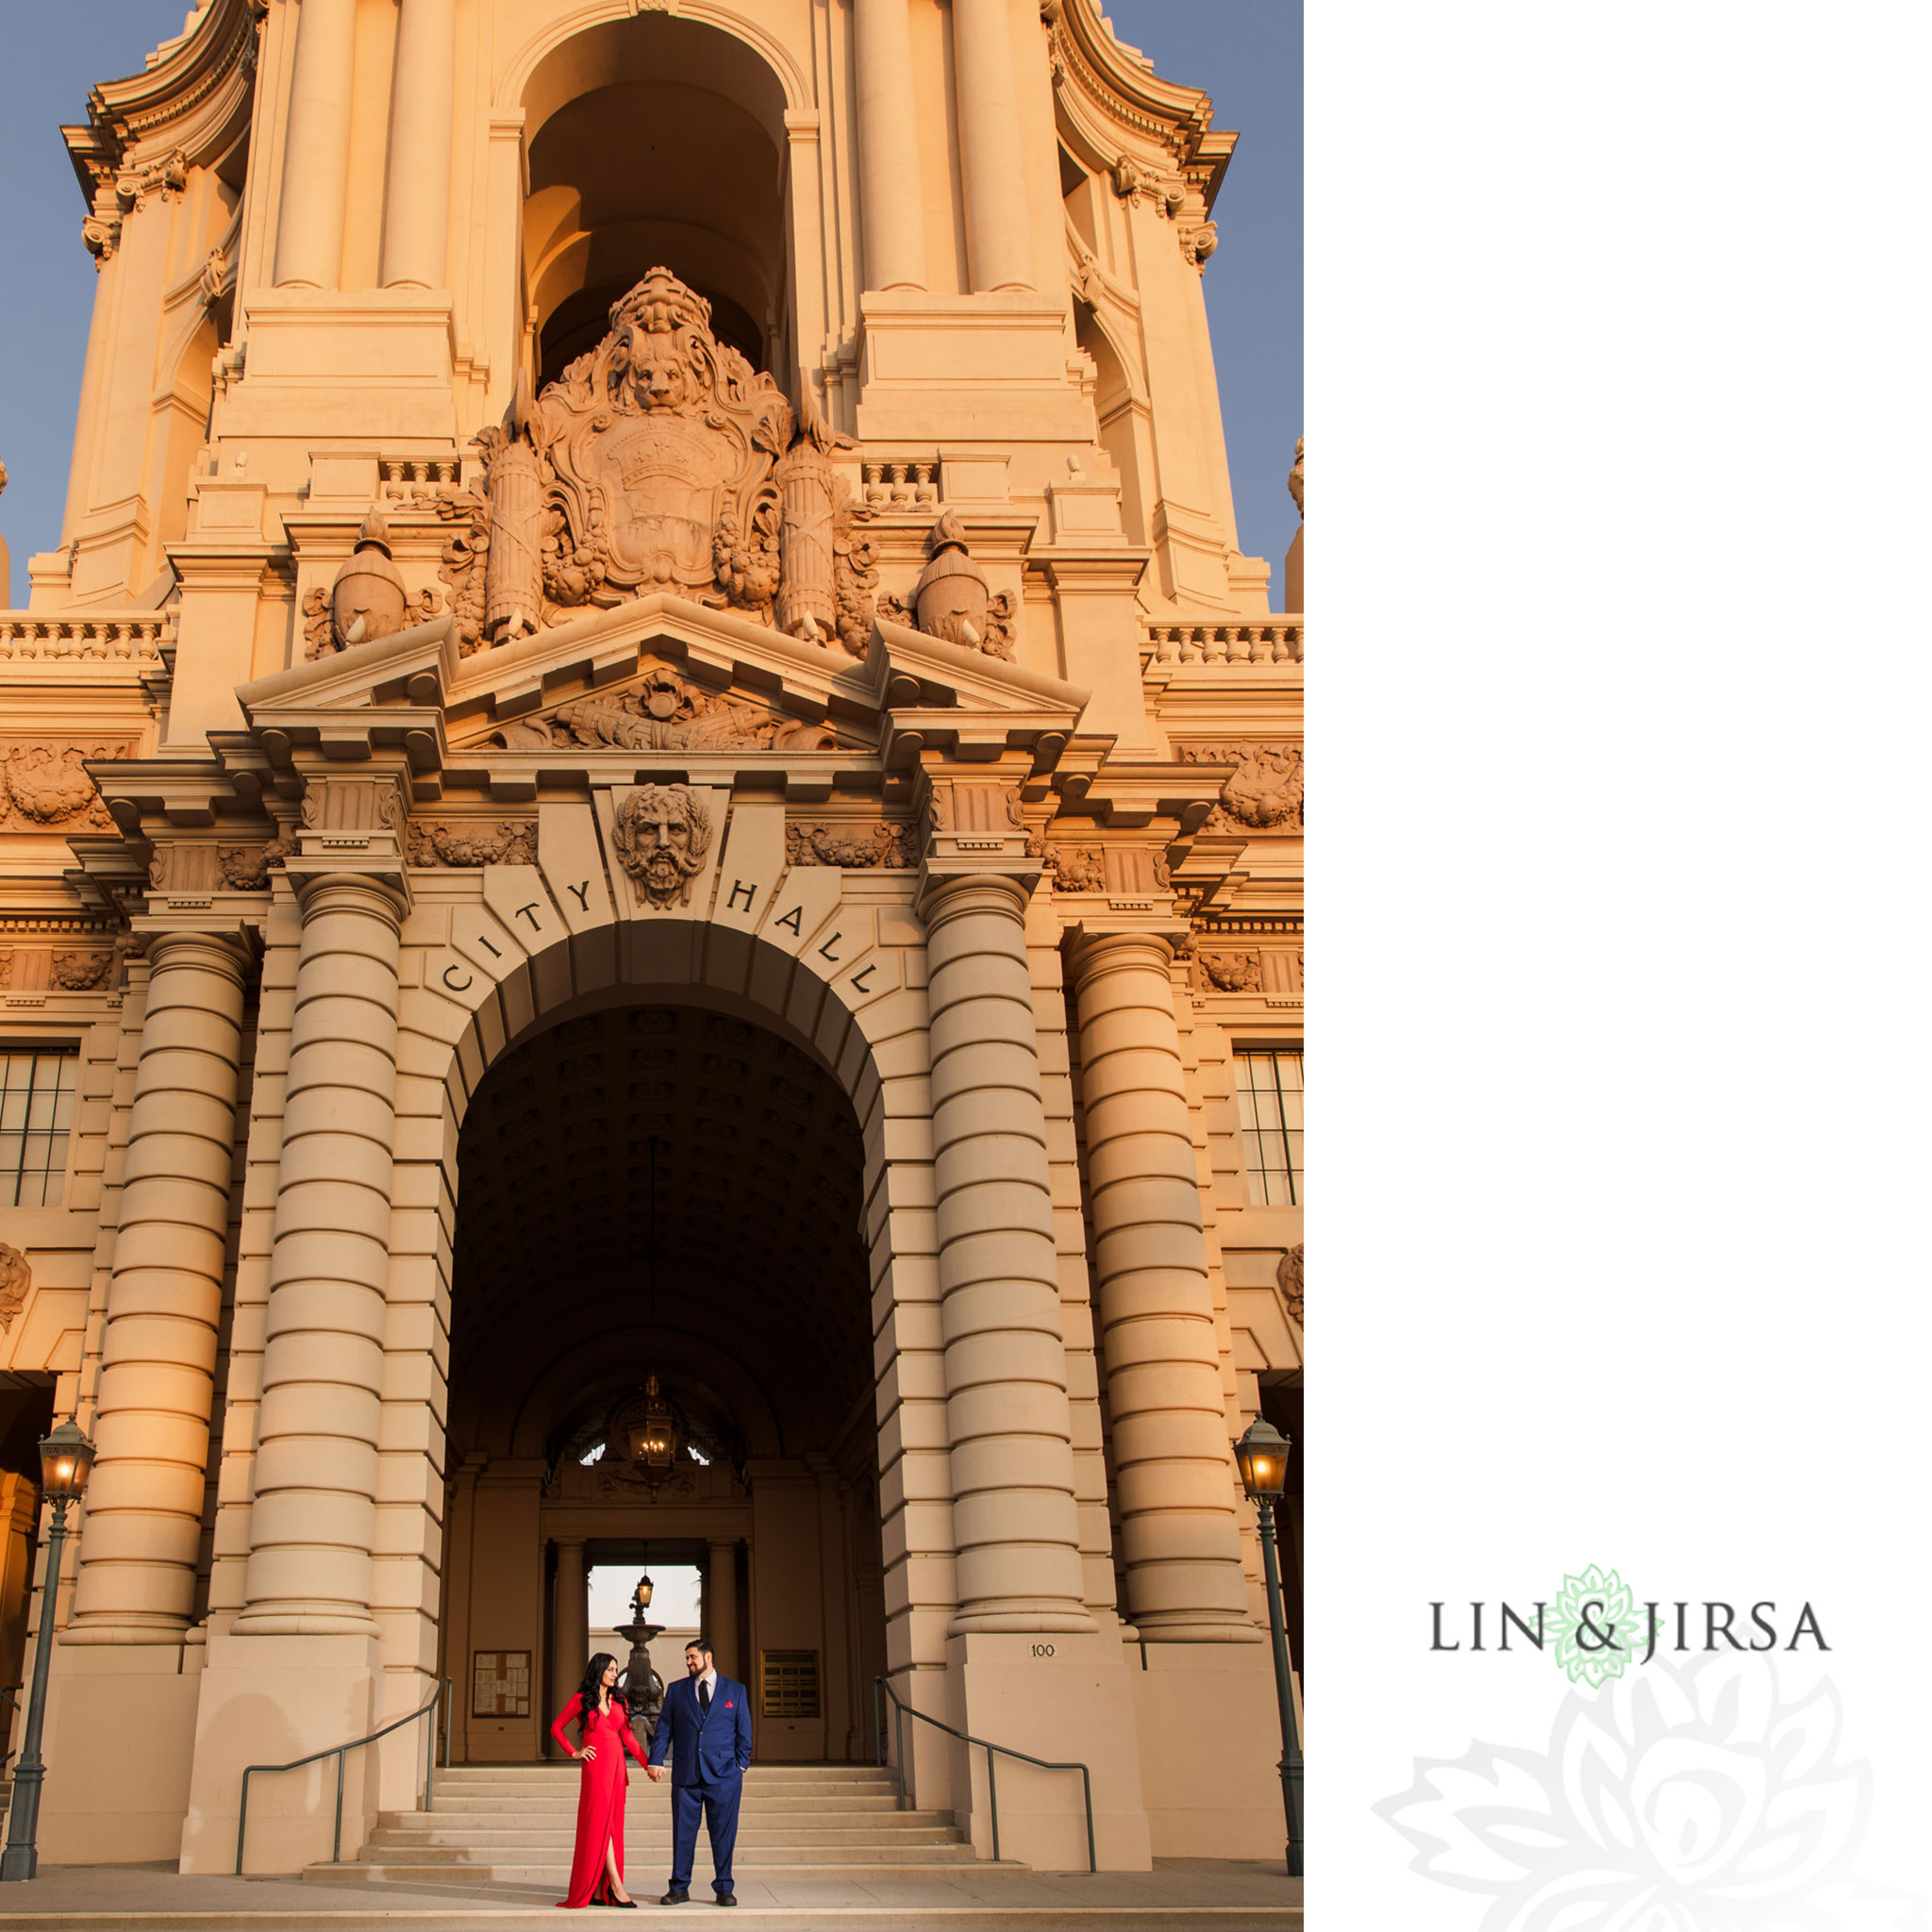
(1062, 1697)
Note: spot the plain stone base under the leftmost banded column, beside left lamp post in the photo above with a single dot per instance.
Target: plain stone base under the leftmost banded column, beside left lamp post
(119, 1747)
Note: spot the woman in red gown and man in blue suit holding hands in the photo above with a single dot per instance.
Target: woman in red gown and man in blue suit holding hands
(706, 1726)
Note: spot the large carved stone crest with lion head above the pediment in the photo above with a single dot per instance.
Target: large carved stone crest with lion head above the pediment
(658, 463)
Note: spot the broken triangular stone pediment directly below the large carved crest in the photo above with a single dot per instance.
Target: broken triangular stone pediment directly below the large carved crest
(654, 673)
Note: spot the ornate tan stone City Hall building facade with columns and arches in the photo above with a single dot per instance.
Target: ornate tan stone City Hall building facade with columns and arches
(650, 785)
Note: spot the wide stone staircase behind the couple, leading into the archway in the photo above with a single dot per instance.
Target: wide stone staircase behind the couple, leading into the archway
(517, 1825)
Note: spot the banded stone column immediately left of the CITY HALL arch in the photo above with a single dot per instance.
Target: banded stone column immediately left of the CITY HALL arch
(316, 1465)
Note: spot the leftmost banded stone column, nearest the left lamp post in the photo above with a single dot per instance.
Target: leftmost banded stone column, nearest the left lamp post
(165, 1303)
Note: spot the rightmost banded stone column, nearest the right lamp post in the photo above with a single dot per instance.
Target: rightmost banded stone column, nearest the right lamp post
(1174, 1469)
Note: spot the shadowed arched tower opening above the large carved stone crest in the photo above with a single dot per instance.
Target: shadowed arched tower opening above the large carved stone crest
(656, 142)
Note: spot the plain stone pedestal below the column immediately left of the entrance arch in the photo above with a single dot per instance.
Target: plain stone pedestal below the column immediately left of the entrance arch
(268, 1701)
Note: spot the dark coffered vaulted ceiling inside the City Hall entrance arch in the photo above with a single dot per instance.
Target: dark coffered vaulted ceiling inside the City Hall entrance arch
(660, 1189)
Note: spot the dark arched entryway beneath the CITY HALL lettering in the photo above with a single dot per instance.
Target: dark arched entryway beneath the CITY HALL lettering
(658, 1189)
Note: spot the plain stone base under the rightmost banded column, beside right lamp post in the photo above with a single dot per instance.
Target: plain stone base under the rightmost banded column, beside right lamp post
(1214, 1788)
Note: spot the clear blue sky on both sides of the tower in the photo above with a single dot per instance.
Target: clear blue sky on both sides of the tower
(1245, 53)
